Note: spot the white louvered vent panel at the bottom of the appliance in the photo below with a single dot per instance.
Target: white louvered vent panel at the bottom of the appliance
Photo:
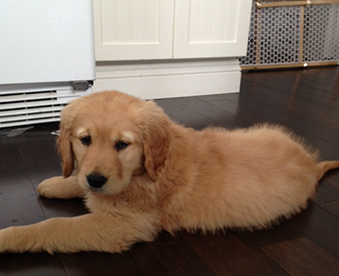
(32, 107)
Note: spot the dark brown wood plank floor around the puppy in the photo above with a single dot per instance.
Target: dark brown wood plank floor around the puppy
(307, 101)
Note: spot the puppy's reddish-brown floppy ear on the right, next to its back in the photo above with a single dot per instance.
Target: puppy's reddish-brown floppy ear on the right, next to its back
(157, 139)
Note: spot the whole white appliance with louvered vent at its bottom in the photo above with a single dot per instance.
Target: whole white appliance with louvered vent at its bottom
(46, 58)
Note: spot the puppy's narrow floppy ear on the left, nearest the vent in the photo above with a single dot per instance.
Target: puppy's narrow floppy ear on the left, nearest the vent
(64, 143)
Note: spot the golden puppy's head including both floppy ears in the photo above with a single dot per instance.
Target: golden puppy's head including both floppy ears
(113, 137)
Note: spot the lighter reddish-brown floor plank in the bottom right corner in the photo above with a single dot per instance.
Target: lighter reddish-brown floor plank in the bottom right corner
(303, 257)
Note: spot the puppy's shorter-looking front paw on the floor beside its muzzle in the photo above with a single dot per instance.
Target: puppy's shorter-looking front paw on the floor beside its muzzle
(60, 187)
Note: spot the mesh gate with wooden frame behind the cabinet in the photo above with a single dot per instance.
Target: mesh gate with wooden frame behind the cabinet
(274, 35)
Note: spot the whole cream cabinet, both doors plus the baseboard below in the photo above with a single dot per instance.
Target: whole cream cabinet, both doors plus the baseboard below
(176, 47)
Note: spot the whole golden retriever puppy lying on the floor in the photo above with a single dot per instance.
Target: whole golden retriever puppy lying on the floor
(140, 173)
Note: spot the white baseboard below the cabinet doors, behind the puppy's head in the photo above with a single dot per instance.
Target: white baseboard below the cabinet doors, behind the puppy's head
(166, 79)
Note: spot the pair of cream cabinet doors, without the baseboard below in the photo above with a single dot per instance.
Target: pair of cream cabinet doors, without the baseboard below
(163, 29)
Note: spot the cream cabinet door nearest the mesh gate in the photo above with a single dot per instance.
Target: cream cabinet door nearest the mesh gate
(211, 28)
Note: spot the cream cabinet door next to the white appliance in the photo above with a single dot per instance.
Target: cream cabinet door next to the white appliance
(133, 29)
